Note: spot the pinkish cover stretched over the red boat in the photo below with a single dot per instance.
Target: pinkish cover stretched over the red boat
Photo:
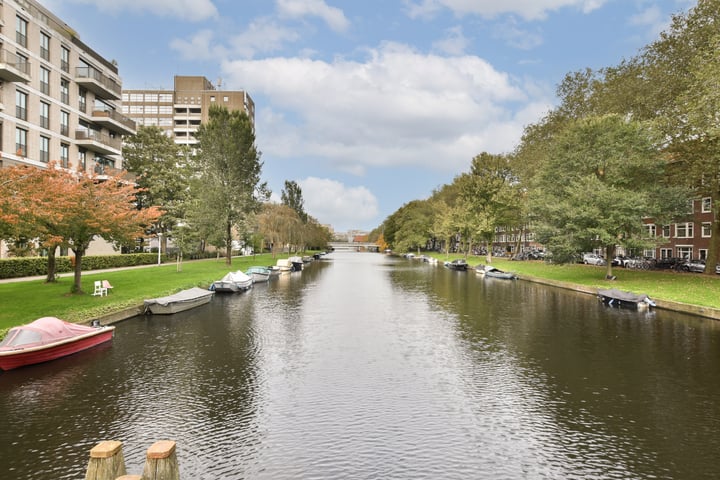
(42, 331)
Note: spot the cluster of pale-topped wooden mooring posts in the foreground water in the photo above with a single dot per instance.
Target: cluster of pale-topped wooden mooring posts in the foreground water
(107, 462)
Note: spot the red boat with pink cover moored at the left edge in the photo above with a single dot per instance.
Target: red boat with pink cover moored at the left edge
(48, 338)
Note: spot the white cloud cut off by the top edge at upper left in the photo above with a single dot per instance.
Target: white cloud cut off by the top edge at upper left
(190, 10)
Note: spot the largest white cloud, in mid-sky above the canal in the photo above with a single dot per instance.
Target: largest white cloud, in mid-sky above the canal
(396, 108)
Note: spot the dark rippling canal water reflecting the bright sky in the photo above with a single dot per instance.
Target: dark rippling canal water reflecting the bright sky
(365, 366)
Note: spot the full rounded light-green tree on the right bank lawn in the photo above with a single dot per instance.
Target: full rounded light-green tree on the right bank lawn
(604, 176)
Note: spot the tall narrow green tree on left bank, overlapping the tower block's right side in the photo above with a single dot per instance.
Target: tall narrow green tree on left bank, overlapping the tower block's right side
(228, 188)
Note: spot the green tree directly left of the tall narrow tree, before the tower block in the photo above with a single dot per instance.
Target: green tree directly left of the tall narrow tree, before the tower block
(162, 171)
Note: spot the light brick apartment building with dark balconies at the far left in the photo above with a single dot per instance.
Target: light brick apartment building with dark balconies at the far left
(66, 96)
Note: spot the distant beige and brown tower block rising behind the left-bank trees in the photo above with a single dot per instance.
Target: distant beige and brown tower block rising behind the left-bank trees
(179, 112)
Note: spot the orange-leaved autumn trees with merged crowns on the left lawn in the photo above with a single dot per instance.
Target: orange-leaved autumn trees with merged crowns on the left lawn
(65, 208)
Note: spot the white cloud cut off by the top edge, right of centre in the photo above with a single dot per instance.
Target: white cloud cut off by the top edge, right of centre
(527, 9)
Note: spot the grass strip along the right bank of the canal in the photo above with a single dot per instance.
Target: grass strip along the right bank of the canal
(688, 288)
